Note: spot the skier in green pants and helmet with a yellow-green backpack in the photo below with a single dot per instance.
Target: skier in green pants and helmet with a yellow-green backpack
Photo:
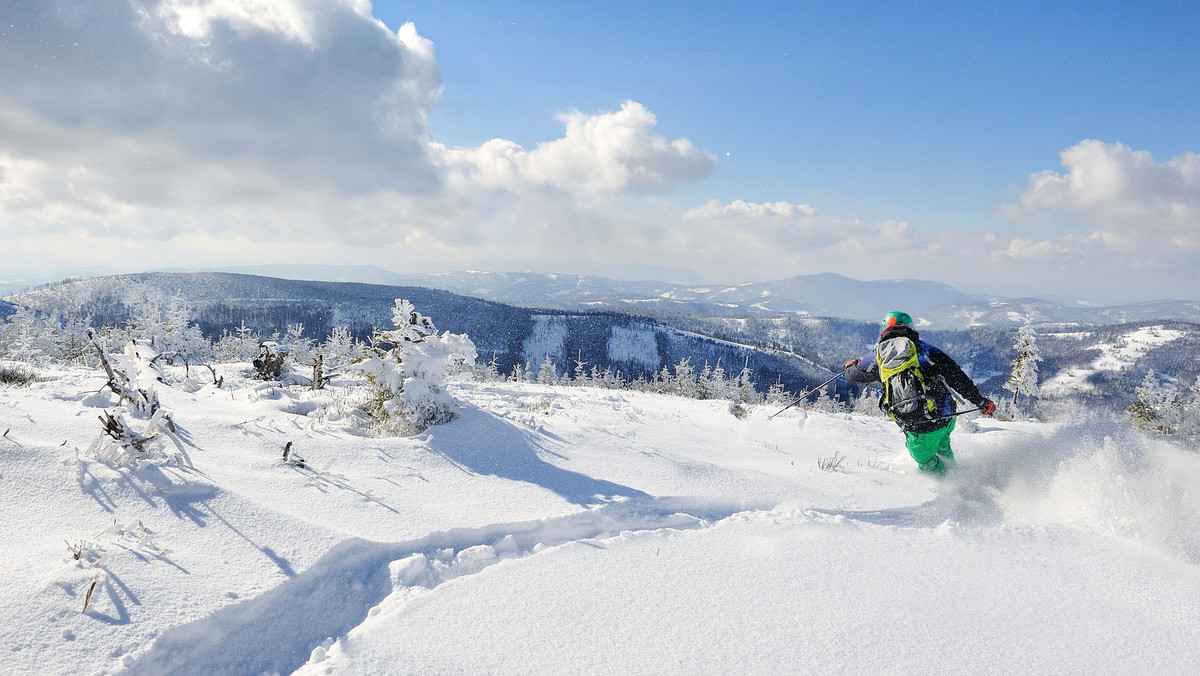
(917, 381)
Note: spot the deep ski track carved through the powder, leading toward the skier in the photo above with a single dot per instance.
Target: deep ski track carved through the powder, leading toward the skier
(340, 591)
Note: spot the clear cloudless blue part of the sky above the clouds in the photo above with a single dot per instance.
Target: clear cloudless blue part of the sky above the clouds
(875, 110)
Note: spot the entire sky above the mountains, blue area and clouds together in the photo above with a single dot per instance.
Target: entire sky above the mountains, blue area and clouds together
(1018, 149)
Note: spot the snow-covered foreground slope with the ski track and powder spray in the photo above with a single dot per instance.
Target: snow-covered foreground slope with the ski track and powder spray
(586, 531)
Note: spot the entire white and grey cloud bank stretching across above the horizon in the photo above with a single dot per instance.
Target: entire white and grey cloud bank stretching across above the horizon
(147, 134)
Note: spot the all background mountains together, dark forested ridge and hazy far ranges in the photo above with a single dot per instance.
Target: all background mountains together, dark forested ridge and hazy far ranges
(1101, 362)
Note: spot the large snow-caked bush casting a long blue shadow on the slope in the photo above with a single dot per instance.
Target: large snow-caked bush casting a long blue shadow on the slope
(406, 380)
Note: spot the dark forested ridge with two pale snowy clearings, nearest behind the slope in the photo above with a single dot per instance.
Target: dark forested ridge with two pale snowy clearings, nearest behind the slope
(506, 334)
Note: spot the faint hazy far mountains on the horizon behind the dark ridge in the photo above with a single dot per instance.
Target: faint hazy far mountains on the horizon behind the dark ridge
(934, 306)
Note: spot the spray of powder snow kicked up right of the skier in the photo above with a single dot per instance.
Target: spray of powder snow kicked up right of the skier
(1097, 475)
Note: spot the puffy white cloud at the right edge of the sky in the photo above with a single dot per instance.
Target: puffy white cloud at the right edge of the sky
(1120, 195)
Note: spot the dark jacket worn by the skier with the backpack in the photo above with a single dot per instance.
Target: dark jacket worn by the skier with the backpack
(946, 373)
